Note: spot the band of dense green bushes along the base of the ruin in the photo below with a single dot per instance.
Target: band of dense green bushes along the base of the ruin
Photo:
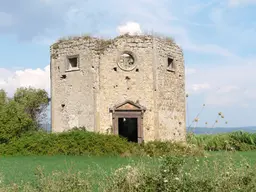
(82, 142)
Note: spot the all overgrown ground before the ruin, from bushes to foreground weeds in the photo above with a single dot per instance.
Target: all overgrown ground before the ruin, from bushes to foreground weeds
(101, 163)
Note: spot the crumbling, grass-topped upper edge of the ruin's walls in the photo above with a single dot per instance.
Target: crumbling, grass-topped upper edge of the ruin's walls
(70, 39)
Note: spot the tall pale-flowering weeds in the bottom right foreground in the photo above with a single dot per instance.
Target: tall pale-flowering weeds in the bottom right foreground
(176, 174)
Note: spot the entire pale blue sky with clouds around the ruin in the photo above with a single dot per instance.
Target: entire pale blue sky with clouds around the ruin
(217, 36)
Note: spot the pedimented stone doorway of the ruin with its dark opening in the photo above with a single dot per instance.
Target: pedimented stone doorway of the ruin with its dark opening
(128, 120)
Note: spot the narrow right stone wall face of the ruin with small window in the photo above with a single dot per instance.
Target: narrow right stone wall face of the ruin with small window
(170, 91)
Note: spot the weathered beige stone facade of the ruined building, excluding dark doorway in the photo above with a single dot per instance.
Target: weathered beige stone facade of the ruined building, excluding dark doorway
(133, 71)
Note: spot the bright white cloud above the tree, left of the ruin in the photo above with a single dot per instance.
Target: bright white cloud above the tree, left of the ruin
(37, 78)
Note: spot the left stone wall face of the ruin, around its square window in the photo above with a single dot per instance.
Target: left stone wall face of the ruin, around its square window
(72, 91)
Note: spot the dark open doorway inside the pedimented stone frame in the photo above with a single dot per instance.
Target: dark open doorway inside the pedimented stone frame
(128, 128)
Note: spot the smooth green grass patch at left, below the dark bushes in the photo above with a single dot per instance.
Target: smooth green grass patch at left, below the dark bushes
(22, 169)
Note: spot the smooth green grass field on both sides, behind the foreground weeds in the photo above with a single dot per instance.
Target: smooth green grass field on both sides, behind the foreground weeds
(21, 169)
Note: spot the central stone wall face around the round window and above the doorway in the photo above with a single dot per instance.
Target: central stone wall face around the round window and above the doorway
(117, 85)
